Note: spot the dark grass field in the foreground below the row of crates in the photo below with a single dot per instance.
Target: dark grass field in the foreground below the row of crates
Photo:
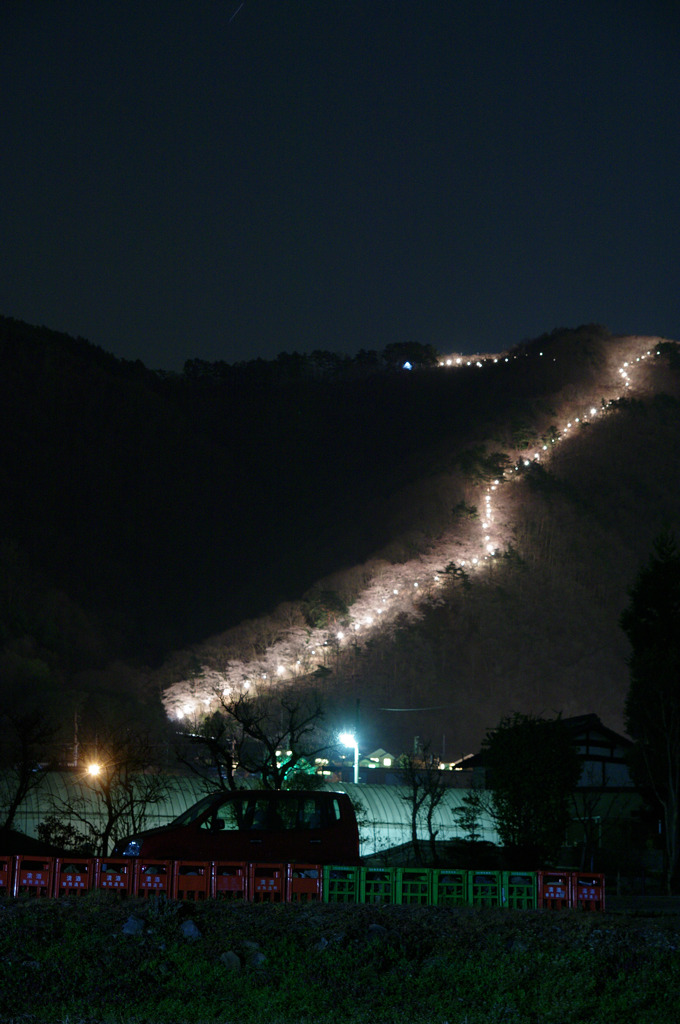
(94, 960)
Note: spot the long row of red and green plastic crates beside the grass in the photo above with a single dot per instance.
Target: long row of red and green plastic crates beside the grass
(186, 880)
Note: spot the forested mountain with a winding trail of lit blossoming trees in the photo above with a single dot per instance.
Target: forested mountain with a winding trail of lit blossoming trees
(160, 530)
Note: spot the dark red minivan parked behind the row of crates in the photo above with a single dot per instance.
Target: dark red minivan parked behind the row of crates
(317, 828)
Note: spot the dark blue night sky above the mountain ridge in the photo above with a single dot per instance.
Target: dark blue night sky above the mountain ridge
(223, 181)
